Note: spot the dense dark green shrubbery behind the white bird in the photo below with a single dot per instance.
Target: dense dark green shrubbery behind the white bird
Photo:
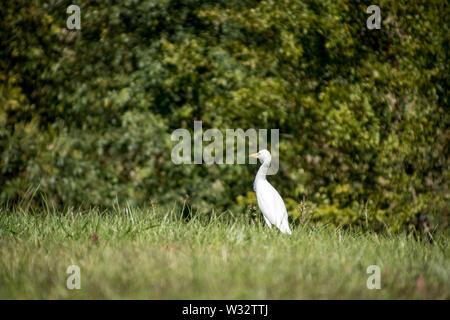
(363, 114)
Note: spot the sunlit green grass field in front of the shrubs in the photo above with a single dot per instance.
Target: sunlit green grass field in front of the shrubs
(156, 254)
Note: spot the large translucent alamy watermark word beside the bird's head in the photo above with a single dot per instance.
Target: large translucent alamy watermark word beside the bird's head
(219, 148)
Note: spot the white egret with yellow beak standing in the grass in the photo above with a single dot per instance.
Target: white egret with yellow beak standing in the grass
(269, 200)
